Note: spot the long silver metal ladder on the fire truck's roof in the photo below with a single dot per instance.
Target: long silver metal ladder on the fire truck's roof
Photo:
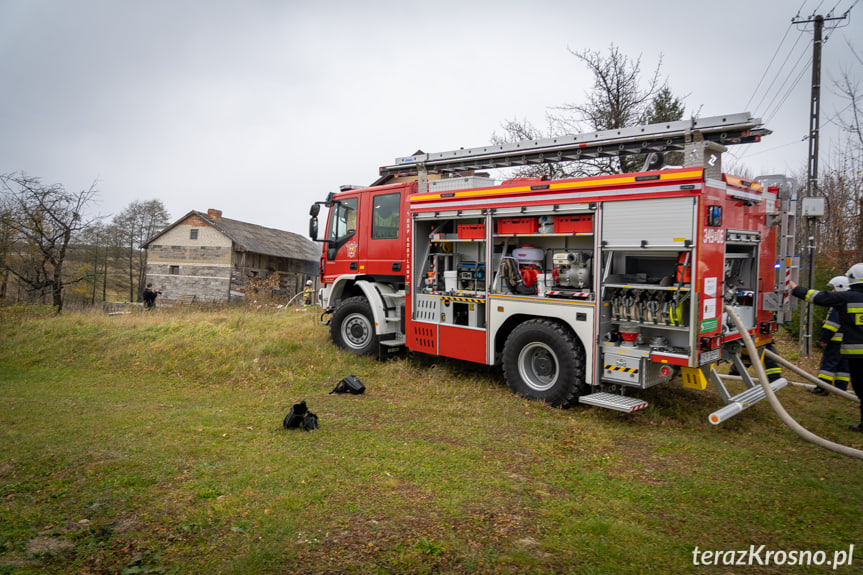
(739, 128)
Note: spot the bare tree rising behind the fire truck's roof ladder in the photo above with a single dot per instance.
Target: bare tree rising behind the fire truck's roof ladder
(619, 98)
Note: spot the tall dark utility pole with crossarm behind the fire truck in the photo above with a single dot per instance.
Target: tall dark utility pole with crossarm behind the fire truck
(811, 210)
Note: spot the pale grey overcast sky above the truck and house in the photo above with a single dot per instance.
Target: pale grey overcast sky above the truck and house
(261, 107)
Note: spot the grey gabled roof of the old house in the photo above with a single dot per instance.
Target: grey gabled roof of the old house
(254, 238)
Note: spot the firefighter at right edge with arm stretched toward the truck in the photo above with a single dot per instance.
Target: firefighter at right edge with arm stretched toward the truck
(849, 307)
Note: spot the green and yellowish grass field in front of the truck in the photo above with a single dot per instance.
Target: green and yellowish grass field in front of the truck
(152, 443)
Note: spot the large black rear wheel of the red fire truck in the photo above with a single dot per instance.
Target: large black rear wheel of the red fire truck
(543, 360)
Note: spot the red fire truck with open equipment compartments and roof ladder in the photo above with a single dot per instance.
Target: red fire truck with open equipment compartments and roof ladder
(583, 290)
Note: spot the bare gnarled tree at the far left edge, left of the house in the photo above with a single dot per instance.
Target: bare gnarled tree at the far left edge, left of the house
(43, 220)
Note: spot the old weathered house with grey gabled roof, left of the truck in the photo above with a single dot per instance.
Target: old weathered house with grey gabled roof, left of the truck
(217, 259)
